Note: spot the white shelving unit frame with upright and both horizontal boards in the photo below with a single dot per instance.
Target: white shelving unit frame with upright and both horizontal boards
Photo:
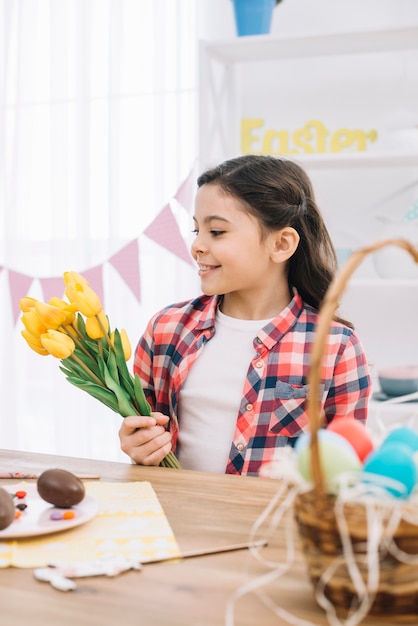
(221, 77)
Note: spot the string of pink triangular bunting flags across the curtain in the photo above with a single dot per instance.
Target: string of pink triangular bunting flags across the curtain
(163, 230)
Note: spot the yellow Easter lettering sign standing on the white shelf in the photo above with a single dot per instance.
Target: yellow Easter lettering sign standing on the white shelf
(312, 138)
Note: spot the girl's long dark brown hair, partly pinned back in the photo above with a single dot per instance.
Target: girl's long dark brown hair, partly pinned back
(279, 193)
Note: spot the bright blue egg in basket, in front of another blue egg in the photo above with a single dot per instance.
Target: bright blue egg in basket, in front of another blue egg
(396, 461)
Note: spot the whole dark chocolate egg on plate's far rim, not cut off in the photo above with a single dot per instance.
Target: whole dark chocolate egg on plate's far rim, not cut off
(60, 488)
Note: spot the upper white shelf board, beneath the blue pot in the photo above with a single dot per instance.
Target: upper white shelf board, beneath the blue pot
(267, 47)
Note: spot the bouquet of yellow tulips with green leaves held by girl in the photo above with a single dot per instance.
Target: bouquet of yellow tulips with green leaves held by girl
(92, 357)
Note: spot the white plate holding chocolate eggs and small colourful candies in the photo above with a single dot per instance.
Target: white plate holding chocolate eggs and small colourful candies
(36, 518)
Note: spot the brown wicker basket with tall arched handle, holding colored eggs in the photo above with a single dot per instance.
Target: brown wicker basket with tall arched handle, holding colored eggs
(396, 591)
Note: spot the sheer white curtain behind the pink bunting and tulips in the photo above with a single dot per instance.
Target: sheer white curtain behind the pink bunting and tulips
(97, 134)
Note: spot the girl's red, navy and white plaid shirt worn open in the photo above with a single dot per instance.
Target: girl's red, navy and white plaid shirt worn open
(272, 412)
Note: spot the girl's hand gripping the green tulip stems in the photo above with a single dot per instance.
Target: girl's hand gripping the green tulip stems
(145, 439)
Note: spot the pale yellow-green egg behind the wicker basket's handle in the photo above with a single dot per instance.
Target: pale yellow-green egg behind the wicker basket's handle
(336, 454)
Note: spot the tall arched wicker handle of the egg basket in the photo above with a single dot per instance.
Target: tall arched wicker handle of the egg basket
(326, 315)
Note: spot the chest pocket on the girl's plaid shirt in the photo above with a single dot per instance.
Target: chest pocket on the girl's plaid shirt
(289, 417)
